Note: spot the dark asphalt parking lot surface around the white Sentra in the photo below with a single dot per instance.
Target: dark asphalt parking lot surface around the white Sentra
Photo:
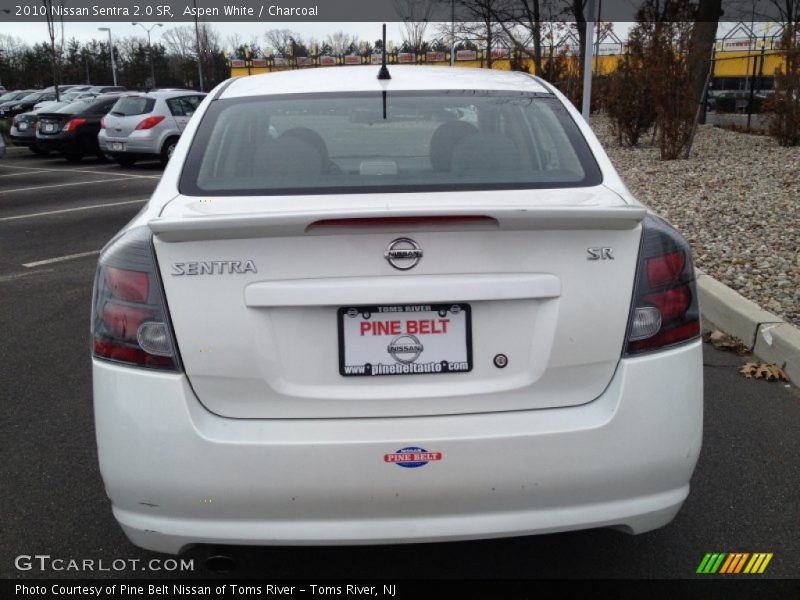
(54, 219)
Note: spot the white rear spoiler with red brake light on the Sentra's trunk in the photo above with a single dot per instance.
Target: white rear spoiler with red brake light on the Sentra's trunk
(432, 218)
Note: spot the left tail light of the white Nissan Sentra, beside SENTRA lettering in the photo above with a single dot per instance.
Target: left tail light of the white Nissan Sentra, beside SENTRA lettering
(130, 323)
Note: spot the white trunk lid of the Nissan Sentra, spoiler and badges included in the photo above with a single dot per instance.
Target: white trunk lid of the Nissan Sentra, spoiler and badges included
(268, 295)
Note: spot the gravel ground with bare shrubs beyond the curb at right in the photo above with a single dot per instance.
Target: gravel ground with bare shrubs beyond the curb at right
(737, 202)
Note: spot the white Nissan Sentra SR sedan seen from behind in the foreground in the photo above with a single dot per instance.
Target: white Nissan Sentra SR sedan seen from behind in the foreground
(377, 311)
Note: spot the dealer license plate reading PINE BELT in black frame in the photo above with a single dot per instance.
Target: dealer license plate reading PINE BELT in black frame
(420, 339)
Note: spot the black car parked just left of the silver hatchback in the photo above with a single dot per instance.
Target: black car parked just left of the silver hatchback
(72, 129)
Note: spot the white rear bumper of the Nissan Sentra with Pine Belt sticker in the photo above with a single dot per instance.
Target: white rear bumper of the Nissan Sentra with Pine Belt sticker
(177, 474)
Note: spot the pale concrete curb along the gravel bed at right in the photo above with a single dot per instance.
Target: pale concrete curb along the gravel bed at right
(771, 337)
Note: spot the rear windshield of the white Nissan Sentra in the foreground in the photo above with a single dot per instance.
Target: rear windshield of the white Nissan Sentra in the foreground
(403, 141)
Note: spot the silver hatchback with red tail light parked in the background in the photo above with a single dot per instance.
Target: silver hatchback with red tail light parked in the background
(147, 126)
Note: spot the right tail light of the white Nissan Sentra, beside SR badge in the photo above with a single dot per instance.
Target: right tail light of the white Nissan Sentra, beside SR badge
(664, 310)
